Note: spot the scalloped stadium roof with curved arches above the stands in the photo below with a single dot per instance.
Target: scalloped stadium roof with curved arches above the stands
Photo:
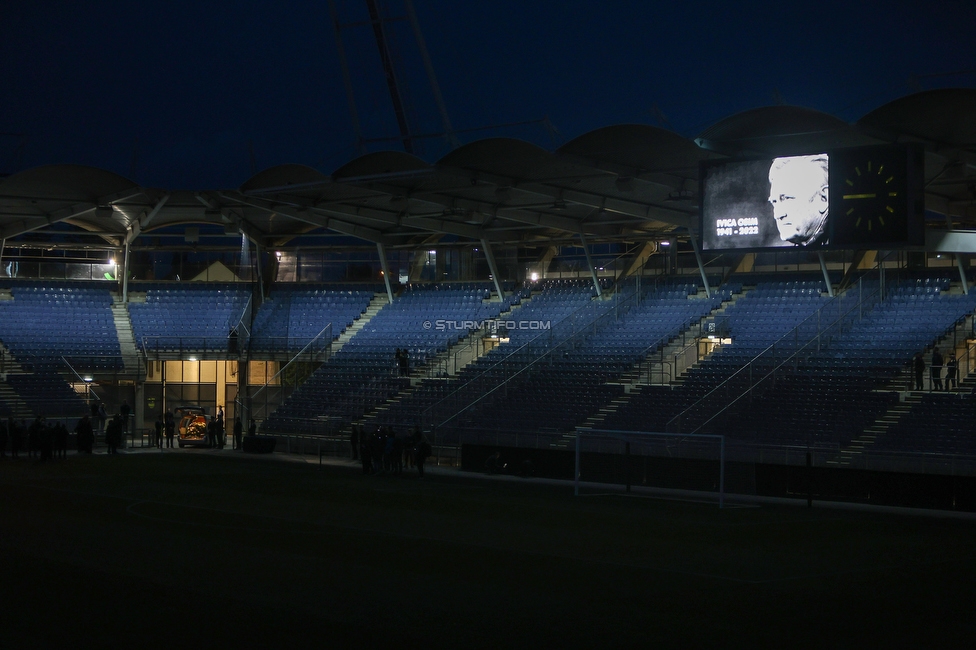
(618, 183)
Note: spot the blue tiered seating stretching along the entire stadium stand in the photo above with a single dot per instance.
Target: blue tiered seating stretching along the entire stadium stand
(822, 370)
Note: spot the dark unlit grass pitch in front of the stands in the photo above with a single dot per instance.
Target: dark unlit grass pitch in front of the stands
(202, 550)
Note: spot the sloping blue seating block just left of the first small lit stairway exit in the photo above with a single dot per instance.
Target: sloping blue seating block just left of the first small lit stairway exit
(423, 320)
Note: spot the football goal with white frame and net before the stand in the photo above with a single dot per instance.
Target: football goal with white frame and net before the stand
(607, 459)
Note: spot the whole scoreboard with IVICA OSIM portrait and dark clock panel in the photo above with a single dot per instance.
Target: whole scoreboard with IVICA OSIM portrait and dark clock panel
(854, 198)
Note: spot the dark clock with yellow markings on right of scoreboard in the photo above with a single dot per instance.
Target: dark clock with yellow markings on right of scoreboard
(868, 197)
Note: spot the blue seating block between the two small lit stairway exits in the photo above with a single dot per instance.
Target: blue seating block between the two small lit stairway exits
(594, 341)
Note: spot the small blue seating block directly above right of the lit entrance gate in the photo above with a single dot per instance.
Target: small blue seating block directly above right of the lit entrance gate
(294, 315)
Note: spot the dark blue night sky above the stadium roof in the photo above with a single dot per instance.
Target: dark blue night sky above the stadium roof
(177, 95)
